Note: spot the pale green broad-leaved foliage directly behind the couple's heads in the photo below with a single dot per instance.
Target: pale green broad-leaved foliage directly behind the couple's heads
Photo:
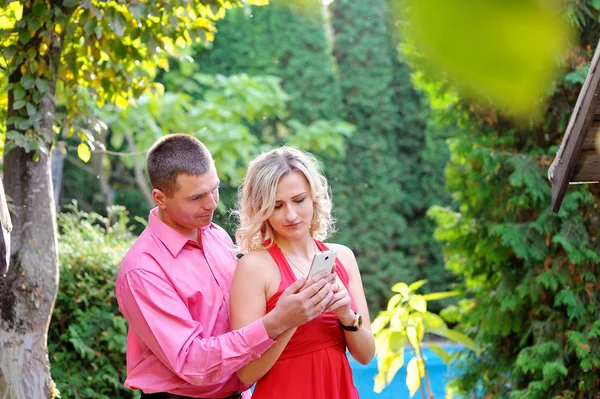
(219, 110)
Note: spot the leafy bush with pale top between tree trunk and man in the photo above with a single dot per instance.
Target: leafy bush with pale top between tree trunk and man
(87, 335)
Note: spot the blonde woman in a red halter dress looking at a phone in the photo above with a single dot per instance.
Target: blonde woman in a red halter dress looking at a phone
(285, 213)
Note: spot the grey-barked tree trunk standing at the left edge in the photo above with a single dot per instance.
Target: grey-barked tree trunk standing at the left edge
(28, 291)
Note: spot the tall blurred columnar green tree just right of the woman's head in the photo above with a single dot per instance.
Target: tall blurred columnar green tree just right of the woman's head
(388, 181)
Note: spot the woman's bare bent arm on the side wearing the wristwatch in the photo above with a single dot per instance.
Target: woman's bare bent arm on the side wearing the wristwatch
(361, 343)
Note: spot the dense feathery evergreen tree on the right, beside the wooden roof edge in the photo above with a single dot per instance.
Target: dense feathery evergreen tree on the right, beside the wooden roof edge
(530, 276)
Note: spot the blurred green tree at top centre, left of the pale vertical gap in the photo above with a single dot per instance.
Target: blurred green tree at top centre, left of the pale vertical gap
(286, 39)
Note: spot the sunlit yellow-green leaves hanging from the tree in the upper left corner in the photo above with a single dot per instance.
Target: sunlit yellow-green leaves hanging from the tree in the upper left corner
(106, 51)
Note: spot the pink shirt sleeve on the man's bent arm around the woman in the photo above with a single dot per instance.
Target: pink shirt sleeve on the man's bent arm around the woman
(158, 317)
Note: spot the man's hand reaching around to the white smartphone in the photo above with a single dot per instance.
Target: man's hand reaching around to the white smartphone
(300, 303)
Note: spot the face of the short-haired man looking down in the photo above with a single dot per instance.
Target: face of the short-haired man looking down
(193, 204)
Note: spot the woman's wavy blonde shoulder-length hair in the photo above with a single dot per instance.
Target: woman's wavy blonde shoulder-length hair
(257, 196)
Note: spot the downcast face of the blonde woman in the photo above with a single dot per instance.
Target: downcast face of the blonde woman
(294, 207)
